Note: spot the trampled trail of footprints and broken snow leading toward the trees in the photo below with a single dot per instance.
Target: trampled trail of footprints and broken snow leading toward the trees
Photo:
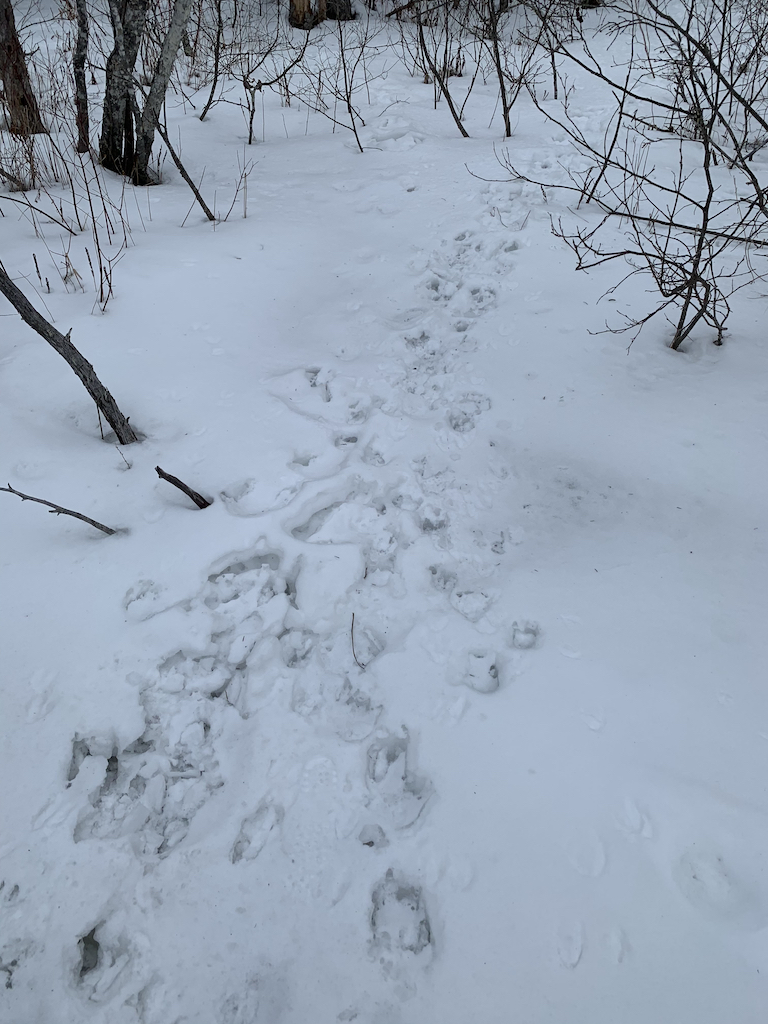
(283, 655)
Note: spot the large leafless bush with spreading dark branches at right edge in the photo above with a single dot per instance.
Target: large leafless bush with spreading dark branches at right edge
(699, 82)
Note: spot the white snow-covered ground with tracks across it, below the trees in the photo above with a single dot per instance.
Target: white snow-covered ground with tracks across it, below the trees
(453, 706)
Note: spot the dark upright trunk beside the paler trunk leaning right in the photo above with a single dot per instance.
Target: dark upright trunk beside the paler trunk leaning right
(117, 147)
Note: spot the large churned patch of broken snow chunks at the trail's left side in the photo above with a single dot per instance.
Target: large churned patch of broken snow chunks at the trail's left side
(152, 789)
